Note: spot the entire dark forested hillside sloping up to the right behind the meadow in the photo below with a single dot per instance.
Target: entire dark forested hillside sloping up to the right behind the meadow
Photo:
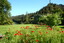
(33, 17)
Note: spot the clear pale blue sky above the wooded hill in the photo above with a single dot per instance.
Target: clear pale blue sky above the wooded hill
(30, 6)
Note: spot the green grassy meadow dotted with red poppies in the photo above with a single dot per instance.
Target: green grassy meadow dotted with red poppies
(31, 33)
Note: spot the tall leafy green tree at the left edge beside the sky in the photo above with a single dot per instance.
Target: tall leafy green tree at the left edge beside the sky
(5, 8)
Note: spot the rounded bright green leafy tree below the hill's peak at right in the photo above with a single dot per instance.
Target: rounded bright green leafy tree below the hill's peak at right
(51, 19)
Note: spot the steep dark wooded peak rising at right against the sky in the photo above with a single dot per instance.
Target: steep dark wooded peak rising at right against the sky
(51, 8)
